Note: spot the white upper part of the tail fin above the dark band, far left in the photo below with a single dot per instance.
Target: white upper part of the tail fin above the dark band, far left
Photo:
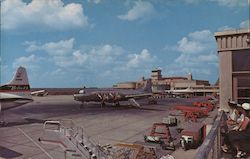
(20, 77)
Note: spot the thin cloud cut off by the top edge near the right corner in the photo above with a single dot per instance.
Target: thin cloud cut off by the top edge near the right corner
(231, 3)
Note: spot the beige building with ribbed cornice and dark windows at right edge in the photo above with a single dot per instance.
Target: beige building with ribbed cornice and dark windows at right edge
(234, 56)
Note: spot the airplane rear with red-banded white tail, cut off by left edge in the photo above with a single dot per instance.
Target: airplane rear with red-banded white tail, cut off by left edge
(16, 92)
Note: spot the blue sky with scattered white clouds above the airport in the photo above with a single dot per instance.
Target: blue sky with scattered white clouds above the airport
(98, 43)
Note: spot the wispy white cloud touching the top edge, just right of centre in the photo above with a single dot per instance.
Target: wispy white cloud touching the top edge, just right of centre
(141, 10)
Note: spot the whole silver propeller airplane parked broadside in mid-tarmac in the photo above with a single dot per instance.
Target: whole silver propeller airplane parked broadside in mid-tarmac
(114, 96)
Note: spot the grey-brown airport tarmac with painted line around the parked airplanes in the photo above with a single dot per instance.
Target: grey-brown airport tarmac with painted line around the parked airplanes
(107, 125)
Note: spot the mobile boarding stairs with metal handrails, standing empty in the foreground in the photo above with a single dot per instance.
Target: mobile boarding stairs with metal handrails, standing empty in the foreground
(72, 139)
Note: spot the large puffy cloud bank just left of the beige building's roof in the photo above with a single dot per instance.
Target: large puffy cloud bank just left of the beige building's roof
(197, 54)
